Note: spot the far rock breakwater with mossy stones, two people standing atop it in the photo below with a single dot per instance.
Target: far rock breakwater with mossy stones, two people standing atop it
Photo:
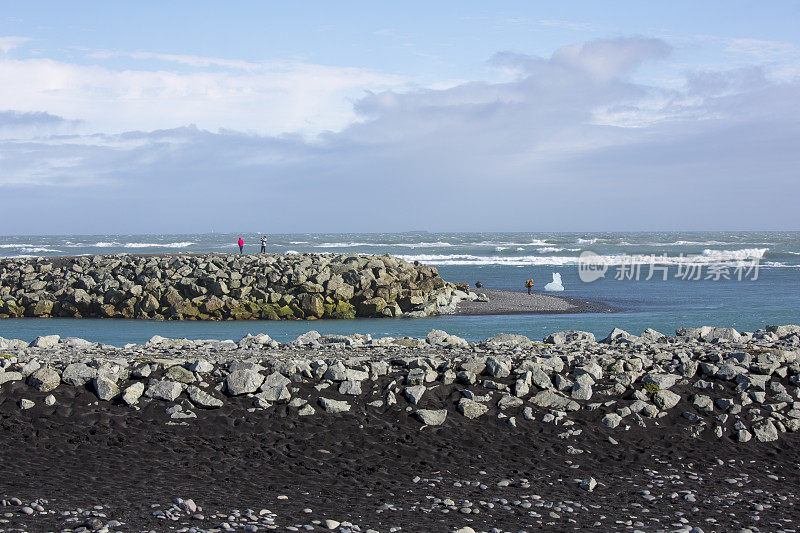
(225, 287)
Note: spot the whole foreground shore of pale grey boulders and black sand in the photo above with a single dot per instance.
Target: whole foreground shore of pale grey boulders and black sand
(689, 432)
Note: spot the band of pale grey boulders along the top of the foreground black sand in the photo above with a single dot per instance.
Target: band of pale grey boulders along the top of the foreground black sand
(715, 382)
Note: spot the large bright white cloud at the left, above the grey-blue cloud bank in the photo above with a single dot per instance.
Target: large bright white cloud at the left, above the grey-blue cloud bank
(269, 98)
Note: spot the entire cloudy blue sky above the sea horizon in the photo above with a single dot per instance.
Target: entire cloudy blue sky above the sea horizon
(293, 117)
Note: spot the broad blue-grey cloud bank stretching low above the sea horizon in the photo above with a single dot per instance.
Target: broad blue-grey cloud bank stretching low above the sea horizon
(570, 142)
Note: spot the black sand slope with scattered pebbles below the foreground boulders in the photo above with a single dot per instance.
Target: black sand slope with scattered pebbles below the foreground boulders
(379, 468)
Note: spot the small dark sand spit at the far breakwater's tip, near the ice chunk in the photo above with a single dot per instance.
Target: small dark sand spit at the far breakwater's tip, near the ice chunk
(520, 303)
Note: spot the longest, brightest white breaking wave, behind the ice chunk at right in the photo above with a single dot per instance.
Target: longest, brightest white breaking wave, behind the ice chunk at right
(707, 257)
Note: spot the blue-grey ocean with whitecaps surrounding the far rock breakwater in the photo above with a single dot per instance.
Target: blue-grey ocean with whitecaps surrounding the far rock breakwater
(742, 280)
